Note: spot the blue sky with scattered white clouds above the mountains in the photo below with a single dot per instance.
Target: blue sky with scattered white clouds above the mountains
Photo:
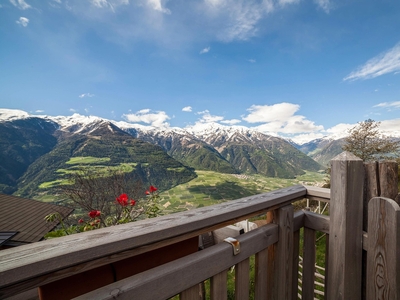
(295, 68)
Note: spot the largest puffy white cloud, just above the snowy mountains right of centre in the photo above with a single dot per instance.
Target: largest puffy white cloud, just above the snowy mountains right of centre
(280, 118)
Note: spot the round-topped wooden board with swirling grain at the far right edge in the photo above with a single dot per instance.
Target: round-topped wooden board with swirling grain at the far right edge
(383, 267)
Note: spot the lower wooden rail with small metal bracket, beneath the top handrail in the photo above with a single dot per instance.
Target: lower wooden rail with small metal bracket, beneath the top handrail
(170, 279)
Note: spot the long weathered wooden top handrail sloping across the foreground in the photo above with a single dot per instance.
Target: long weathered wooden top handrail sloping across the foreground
(36, 264)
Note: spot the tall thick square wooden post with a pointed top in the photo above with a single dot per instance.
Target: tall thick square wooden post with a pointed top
(345, 234)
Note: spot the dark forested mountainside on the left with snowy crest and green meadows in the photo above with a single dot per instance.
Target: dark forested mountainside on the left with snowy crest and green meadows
(37, 150)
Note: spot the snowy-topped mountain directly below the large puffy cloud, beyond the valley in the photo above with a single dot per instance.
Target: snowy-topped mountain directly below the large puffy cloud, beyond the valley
(250, 151)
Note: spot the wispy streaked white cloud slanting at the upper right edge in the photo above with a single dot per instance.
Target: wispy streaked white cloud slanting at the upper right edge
(384, 63)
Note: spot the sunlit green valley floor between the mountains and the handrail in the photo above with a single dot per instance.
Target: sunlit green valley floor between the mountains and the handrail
(212, 188)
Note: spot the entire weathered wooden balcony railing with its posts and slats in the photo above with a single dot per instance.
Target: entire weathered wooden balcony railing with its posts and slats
(276, 247)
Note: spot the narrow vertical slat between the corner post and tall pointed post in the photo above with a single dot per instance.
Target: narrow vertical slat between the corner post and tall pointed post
(308, 263)
